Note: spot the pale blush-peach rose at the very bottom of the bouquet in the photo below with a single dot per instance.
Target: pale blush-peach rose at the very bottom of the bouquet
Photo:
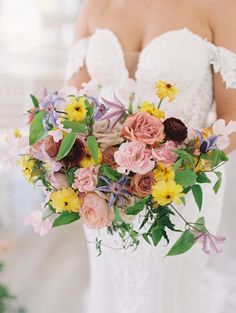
(95, 211)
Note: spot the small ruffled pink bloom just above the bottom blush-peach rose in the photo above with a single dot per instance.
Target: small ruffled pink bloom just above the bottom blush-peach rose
(86, 179)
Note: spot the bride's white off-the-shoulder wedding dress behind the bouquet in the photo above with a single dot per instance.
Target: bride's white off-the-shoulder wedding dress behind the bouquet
(145, 281)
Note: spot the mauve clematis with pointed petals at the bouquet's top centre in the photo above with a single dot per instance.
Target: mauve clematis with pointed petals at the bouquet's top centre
(116, 111)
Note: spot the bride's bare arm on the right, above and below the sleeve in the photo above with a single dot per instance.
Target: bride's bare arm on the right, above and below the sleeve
(223, 24)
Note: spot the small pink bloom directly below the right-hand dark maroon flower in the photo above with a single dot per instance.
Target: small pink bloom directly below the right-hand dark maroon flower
(165, 154)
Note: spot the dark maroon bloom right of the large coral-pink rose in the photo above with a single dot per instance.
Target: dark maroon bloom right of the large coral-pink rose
(175, 129)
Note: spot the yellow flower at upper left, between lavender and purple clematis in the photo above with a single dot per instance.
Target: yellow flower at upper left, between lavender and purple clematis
(76, 110)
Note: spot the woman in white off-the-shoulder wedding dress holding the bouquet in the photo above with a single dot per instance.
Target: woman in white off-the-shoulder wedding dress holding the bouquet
(191, 44)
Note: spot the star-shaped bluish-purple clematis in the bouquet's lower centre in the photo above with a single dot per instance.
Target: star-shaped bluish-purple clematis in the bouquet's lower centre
(117, 190)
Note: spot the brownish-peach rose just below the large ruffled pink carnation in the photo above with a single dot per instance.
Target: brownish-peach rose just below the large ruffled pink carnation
(141, 185)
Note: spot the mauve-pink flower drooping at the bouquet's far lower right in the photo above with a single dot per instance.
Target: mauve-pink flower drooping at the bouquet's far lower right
(209, 242)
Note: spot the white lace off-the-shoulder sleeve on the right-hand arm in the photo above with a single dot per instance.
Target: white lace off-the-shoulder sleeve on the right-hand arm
(224, 62)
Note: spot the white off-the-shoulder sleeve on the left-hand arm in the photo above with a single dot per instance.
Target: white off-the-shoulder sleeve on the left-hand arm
(77, 57)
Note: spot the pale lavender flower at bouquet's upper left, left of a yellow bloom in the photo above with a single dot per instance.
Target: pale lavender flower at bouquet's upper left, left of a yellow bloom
(48, 104)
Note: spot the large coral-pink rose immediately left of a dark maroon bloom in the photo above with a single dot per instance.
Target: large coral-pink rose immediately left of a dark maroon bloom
(143, 127)
